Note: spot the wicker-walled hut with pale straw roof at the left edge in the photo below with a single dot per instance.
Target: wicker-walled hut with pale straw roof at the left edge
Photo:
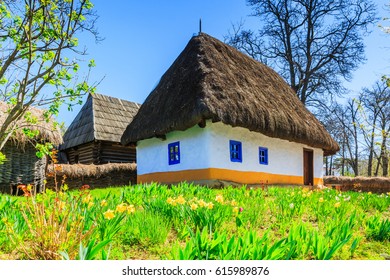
(22, 165)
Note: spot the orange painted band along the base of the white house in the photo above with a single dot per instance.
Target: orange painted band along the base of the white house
(242, 177)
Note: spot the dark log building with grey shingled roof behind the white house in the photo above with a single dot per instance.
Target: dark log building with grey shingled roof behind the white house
(94, 135)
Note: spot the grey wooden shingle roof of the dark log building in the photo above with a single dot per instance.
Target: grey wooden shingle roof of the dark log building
(101, 118)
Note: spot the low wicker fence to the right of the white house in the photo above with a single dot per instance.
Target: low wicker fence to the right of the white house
(366, 184)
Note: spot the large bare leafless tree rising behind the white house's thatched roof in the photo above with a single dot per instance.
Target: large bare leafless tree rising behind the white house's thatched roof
(313, 43)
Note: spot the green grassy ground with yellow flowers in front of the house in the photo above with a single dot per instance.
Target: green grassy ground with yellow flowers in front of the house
(194, 222)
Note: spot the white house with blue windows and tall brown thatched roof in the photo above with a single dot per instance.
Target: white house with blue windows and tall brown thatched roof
(218, 115)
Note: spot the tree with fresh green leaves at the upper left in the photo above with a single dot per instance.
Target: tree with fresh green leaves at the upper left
(39, 55)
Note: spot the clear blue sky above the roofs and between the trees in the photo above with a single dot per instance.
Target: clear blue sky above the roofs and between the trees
(143, 38)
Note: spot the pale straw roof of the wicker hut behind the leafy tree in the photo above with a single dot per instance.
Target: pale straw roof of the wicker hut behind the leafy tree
(47, 130)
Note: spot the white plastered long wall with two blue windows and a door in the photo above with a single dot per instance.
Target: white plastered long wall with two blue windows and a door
(284, 157)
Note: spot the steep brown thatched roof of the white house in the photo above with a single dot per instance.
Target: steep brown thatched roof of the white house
(213, 81)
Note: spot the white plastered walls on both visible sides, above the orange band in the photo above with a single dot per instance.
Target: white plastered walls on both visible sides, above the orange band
(209, 148)
